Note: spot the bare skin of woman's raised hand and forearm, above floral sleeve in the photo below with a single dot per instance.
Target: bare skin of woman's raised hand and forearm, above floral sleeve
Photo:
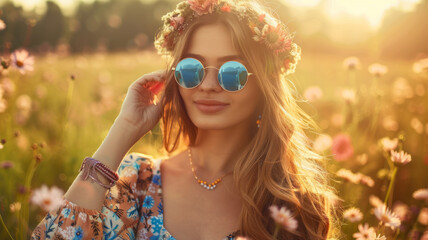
(138, 115)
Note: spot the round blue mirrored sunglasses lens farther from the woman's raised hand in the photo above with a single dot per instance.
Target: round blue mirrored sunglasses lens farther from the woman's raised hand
(232, 76)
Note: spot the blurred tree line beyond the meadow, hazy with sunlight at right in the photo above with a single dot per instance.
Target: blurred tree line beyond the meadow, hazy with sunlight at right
(117, 25)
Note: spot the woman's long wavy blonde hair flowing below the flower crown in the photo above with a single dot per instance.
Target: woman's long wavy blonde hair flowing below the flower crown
(278, 167)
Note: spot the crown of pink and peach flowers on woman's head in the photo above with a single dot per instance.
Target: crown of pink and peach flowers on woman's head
(265, 28)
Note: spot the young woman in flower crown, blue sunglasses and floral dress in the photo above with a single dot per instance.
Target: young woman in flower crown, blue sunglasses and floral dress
(230, 118)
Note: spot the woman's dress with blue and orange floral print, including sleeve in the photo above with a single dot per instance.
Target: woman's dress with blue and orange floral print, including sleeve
(132, 209)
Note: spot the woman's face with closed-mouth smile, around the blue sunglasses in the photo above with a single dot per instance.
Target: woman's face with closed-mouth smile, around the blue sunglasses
(208, 105)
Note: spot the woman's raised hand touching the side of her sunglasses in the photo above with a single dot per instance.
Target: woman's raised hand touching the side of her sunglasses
(141, 109)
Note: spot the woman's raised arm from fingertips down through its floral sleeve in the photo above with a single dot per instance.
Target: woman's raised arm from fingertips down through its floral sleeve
(87, 210)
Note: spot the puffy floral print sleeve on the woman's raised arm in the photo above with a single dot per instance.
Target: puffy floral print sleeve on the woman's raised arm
(119, 216)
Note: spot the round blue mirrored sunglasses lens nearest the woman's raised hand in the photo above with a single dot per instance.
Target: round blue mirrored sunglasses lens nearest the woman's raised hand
(189, 72)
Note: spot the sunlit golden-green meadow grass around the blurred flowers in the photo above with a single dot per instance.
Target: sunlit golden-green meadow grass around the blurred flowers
(75, 99)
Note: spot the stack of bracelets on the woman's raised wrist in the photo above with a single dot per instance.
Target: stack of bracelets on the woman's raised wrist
(90, 165)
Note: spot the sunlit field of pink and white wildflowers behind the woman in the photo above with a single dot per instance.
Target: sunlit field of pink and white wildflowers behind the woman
(56, 109)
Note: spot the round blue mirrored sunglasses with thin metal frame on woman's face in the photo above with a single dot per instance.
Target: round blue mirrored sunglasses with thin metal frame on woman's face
(190, 72)
